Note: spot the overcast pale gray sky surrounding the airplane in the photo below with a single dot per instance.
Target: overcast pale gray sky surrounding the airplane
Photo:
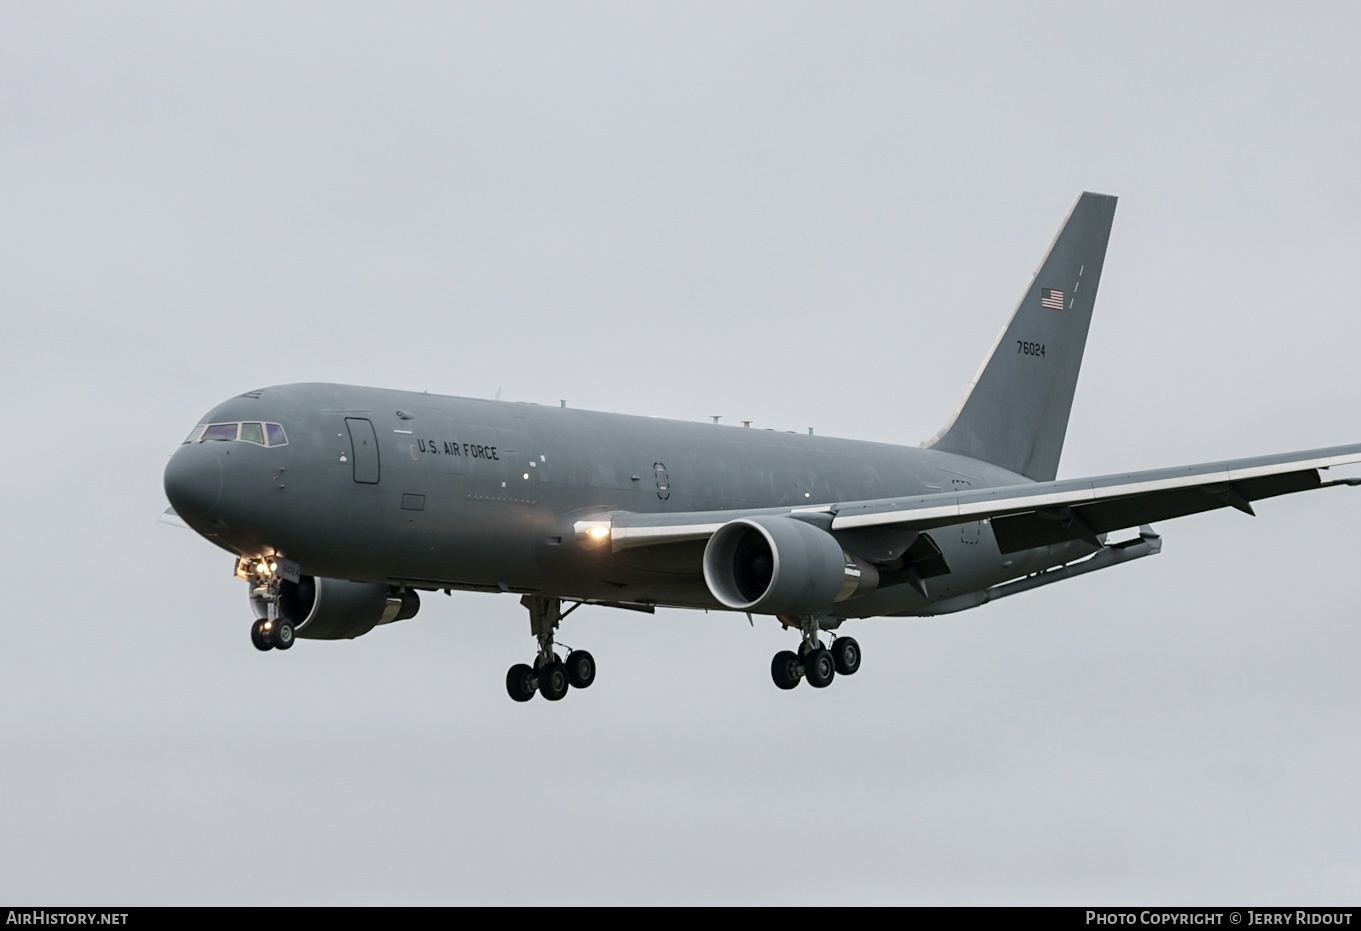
(797, 214)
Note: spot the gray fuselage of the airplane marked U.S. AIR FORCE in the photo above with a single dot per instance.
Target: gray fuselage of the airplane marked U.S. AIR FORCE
(477, 495)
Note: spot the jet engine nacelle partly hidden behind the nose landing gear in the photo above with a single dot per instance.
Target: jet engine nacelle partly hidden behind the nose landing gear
(333, 609)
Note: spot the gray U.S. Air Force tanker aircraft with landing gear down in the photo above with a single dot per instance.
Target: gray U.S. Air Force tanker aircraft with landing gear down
(341, 504)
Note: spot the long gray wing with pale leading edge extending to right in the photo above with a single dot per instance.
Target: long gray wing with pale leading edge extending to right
(1030, 515)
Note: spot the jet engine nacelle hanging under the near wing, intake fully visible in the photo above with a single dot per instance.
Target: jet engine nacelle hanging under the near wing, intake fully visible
(782, 566)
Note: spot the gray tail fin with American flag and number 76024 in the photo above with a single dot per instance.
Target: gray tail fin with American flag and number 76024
(1017, 409)
